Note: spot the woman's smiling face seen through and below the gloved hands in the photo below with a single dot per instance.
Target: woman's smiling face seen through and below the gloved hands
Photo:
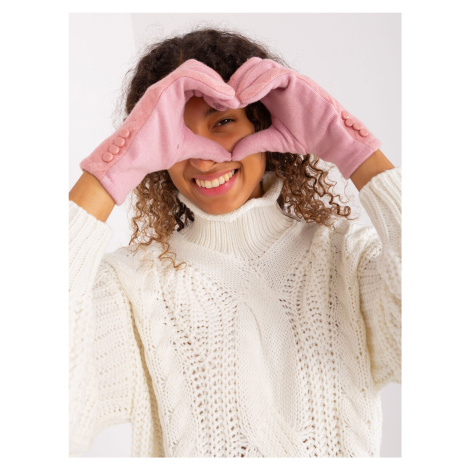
(226, 128)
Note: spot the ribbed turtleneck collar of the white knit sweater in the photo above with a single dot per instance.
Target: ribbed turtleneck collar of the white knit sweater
(248, 231)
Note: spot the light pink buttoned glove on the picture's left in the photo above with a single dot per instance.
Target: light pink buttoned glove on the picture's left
(154, 136)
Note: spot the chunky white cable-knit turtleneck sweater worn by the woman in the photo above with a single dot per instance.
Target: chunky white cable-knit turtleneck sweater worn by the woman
(274, 341)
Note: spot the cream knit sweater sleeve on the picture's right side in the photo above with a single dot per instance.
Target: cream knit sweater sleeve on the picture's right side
(379, 276)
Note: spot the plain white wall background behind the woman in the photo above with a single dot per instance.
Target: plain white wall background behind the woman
(335, 50)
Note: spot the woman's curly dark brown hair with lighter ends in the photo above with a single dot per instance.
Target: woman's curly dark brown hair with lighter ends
(306, 190)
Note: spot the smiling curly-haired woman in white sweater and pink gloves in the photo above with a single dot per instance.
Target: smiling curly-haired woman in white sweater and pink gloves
(277, 321)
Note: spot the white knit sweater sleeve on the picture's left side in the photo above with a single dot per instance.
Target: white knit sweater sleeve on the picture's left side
(105, 360)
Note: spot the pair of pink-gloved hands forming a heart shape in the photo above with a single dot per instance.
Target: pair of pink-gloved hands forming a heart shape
(305, 120)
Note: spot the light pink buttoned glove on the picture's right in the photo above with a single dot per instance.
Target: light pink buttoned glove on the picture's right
(305, 118)
